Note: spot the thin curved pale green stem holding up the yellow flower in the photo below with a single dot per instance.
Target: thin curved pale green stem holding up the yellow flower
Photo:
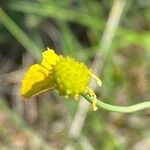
(119, 109)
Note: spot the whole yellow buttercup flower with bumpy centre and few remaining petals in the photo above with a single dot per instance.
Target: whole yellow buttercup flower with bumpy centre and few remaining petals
(68, 76)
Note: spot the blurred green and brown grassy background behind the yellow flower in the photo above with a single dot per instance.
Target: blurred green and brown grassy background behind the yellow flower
(75, 28)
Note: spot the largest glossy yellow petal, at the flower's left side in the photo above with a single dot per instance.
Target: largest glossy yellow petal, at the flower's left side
(36, 79)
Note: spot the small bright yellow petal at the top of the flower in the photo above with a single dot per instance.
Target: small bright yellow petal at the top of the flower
(49, 58)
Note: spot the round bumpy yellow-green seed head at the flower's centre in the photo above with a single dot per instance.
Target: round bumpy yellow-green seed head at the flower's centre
(71, 77)
